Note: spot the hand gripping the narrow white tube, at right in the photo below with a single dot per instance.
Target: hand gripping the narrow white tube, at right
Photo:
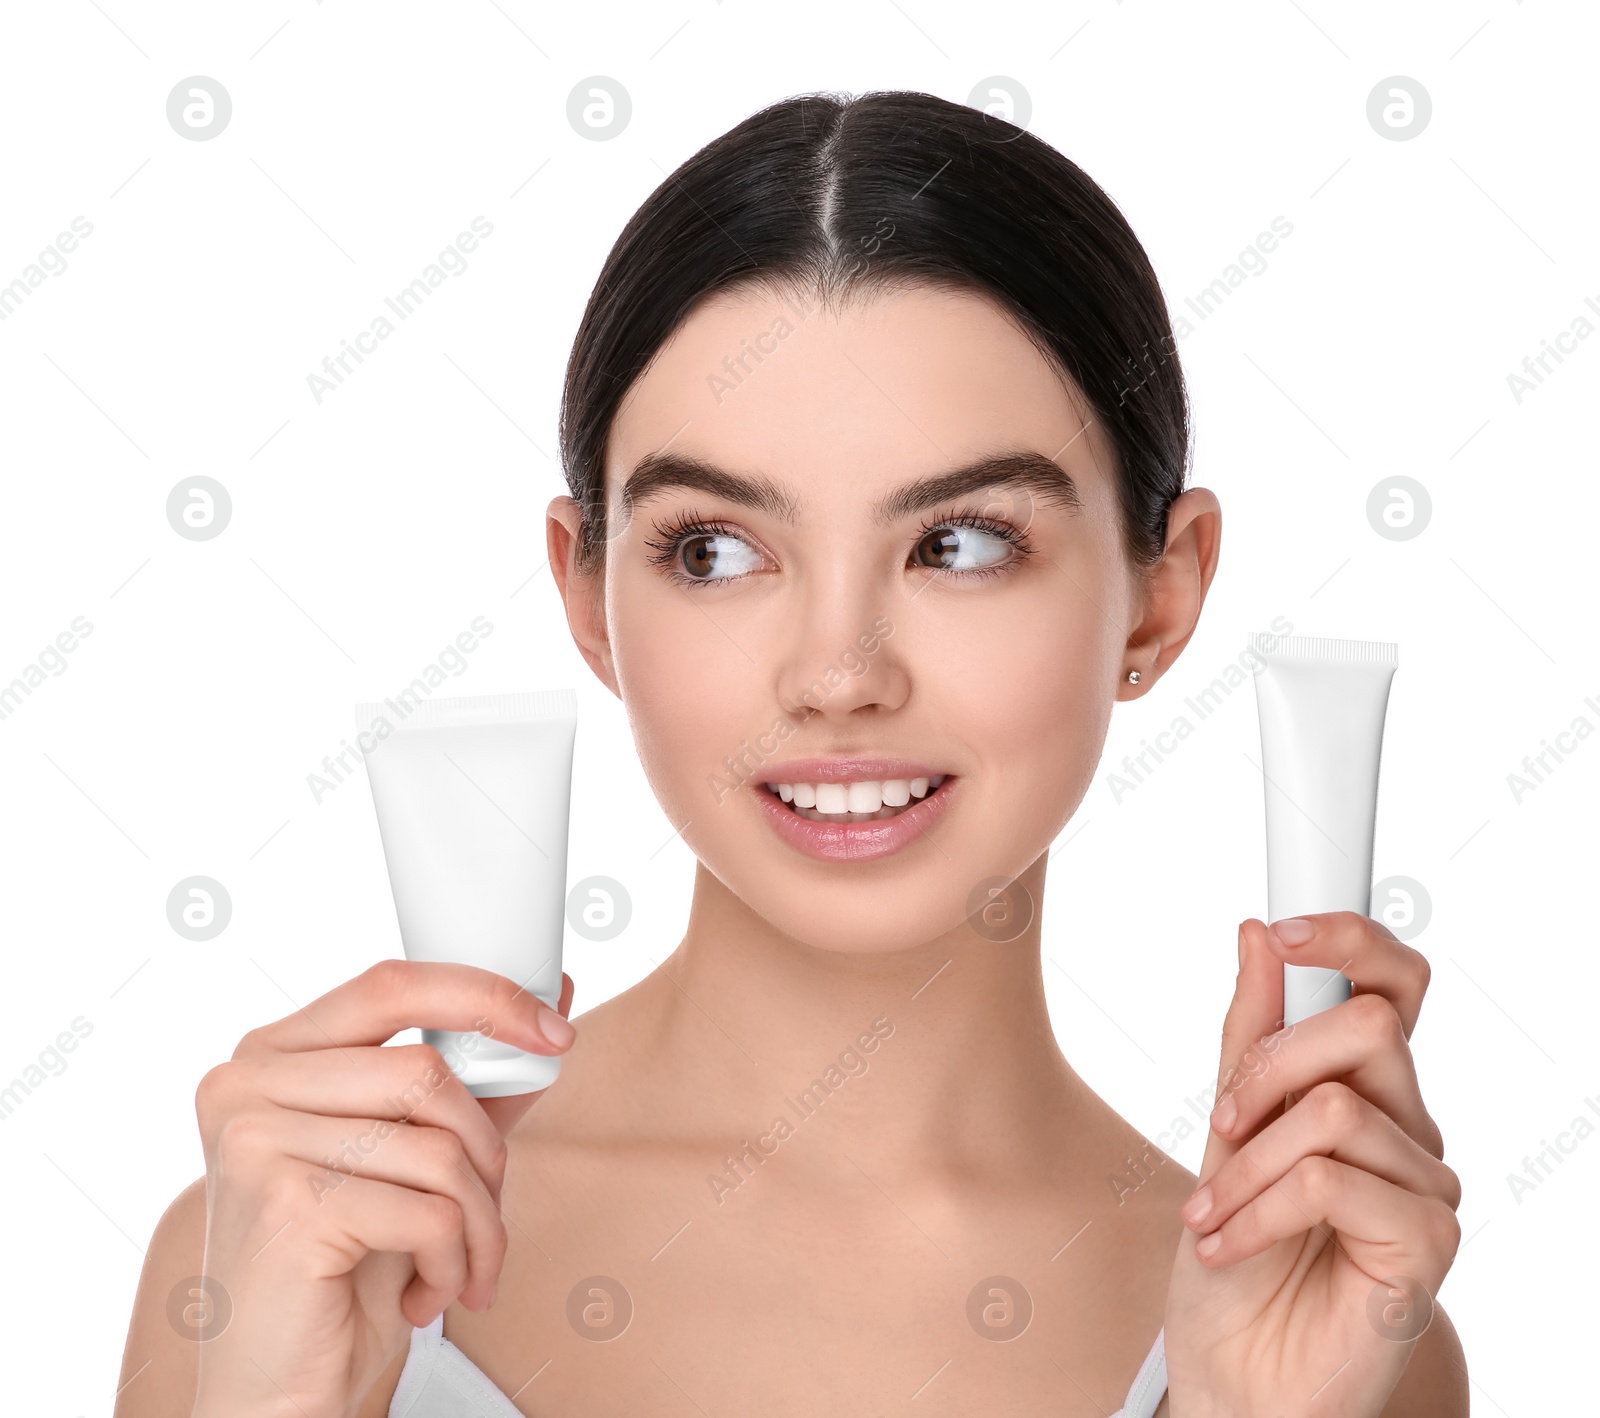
(1324, 1184)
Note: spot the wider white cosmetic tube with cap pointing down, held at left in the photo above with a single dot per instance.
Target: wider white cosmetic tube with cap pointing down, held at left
(474, 798)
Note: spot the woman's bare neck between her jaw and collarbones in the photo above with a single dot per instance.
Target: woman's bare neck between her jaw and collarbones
(937, 1057)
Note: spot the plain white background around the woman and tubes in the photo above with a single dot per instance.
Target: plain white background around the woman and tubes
(372, 529)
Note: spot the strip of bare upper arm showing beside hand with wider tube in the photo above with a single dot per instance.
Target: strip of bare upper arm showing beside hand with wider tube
(159, 1366)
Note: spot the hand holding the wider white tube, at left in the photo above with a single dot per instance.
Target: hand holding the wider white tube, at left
(329, 1268)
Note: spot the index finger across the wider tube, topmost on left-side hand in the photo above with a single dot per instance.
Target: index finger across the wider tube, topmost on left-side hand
(404, 995)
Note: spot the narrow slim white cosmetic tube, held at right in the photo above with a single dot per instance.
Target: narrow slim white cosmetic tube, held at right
(1322, 727)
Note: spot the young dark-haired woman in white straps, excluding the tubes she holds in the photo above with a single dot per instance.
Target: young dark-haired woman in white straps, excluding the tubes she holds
(876, 438)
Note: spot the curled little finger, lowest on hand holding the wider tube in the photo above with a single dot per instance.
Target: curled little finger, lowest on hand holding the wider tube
(370, 1216)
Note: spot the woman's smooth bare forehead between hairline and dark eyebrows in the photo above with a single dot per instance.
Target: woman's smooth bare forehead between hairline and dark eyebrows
(890, 385)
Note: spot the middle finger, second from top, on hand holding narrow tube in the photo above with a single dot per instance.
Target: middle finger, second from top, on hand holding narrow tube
(1359, 1043)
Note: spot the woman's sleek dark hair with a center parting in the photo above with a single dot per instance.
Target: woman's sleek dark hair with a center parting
(836, 198)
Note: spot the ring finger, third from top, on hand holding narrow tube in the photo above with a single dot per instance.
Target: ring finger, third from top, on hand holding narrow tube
(1332, 1121)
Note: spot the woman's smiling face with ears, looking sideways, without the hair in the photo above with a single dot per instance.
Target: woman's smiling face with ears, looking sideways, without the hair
(809, 587)
